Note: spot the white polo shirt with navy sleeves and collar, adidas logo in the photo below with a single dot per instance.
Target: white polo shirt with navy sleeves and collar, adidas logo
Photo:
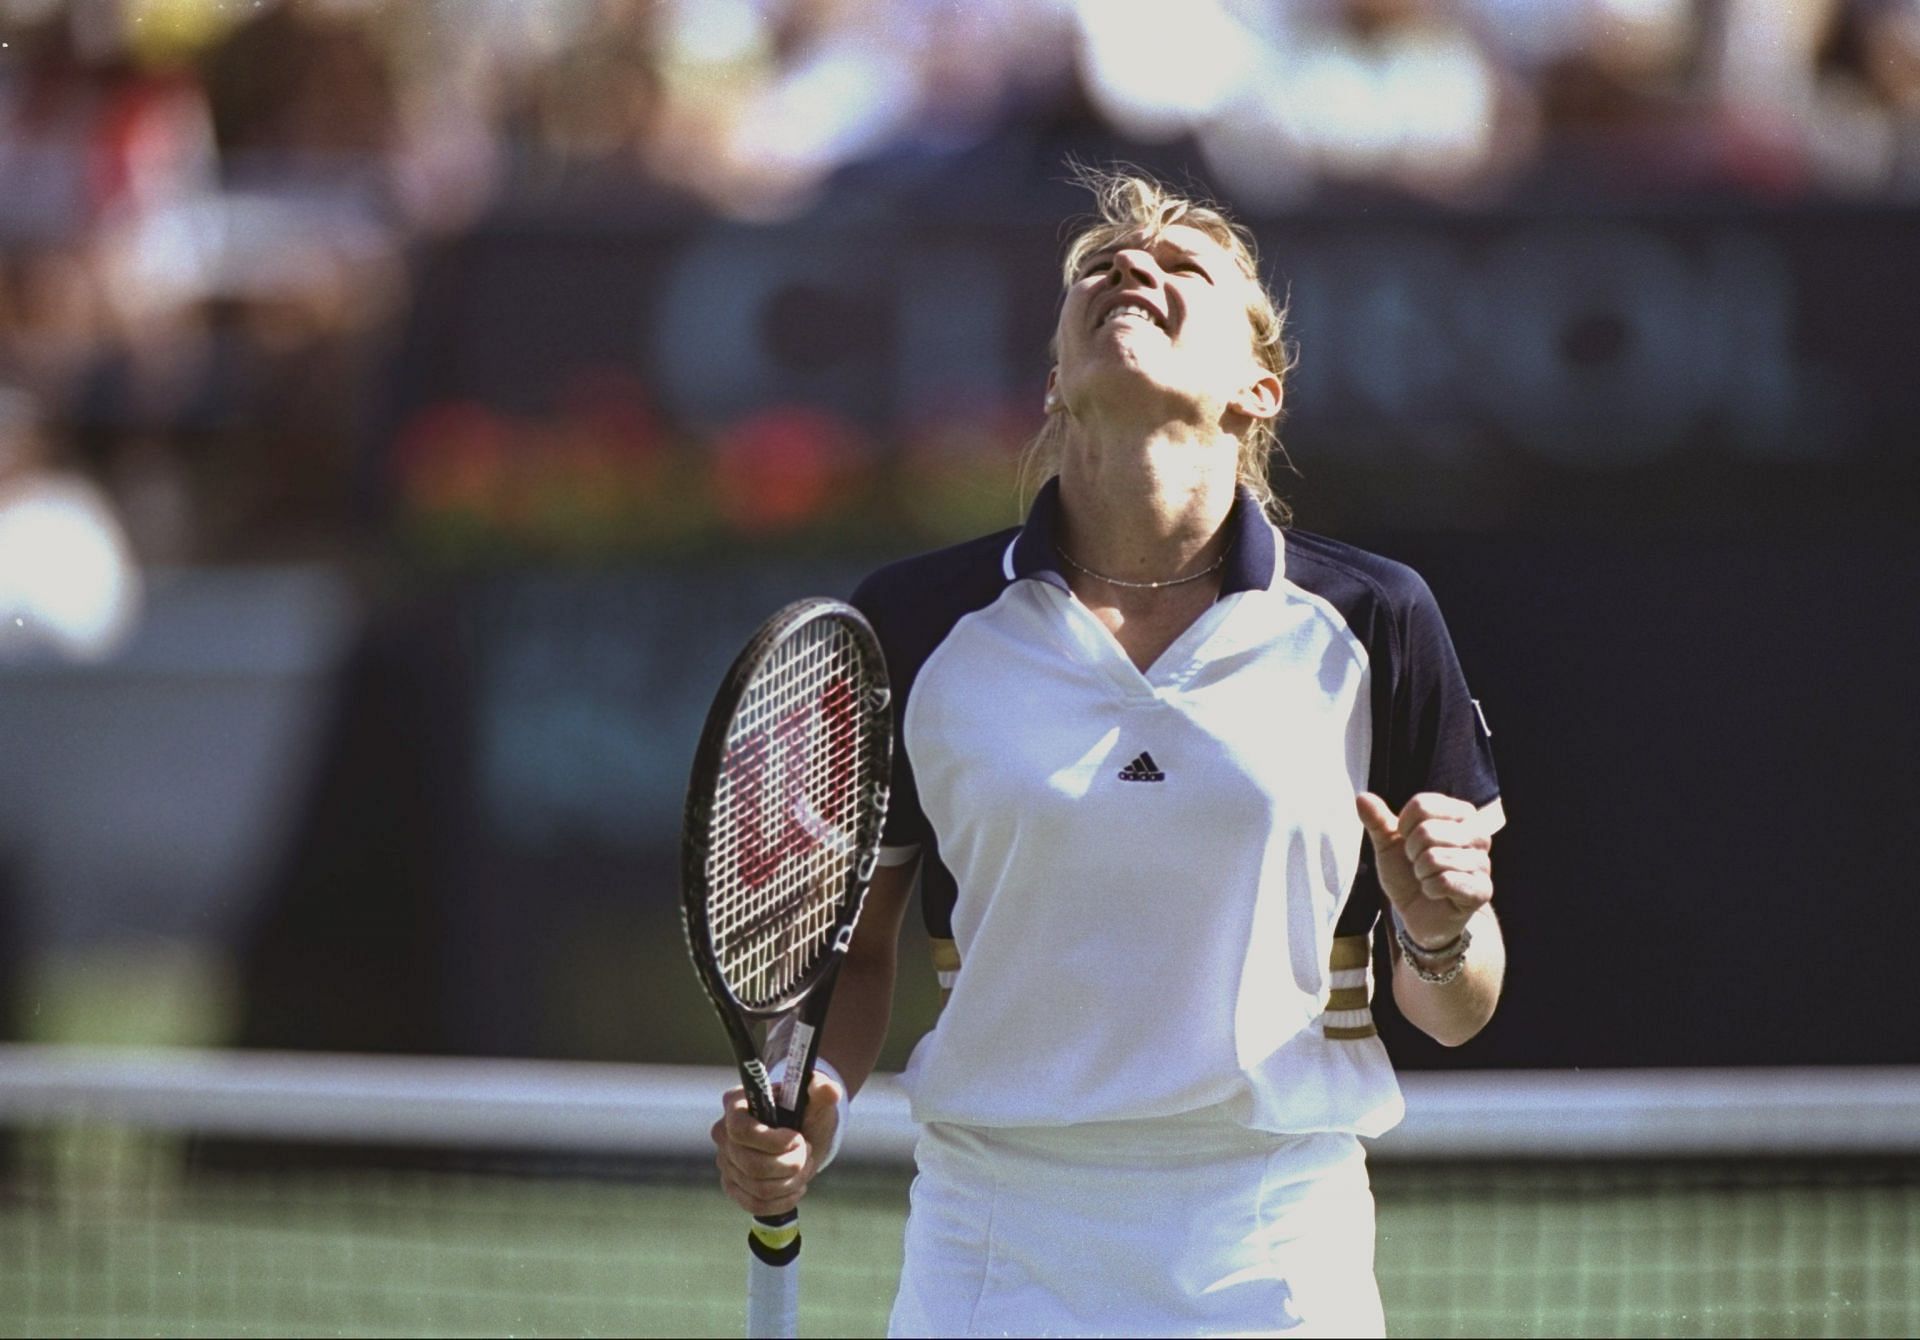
(1151, 894)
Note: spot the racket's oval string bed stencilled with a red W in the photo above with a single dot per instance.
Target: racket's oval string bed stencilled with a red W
(788, 813)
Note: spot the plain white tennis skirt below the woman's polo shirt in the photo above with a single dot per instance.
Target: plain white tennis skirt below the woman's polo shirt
(1178, 1228)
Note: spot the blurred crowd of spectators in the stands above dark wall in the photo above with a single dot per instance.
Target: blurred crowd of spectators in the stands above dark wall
(208, 206)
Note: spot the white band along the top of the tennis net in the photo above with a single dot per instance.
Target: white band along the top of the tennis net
(665, 1111)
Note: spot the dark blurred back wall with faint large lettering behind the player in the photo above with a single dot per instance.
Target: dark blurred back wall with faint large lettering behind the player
(1658, 467)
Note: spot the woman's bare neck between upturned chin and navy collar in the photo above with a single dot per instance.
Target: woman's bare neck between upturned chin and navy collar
(1149, 506)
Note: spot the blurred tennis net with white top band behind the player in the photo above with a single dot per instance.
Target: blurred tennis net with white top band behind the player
(203, 1193)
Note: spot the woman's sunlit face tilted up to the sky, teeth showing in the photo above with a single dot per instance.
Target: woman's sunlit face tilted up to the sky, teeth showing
(1157, 320)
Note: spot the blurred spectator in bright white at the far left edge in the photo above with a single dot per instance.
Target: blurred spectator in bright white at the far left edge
(68, 583)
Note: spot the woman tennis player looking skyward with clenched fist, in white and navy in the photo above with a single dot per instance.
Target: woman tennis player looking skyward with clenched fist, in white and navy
(1163, 767)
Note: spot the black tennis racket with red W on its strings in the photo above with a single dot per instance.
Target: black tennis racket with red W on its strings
(782, 832)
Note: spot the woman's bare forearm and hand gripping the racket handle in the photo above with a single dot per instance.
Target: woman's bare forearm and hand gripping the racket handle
(767, 1170)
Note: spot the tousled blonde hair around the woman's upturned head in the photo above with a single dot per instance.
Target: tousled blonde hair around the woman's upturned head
(1130, 204)
